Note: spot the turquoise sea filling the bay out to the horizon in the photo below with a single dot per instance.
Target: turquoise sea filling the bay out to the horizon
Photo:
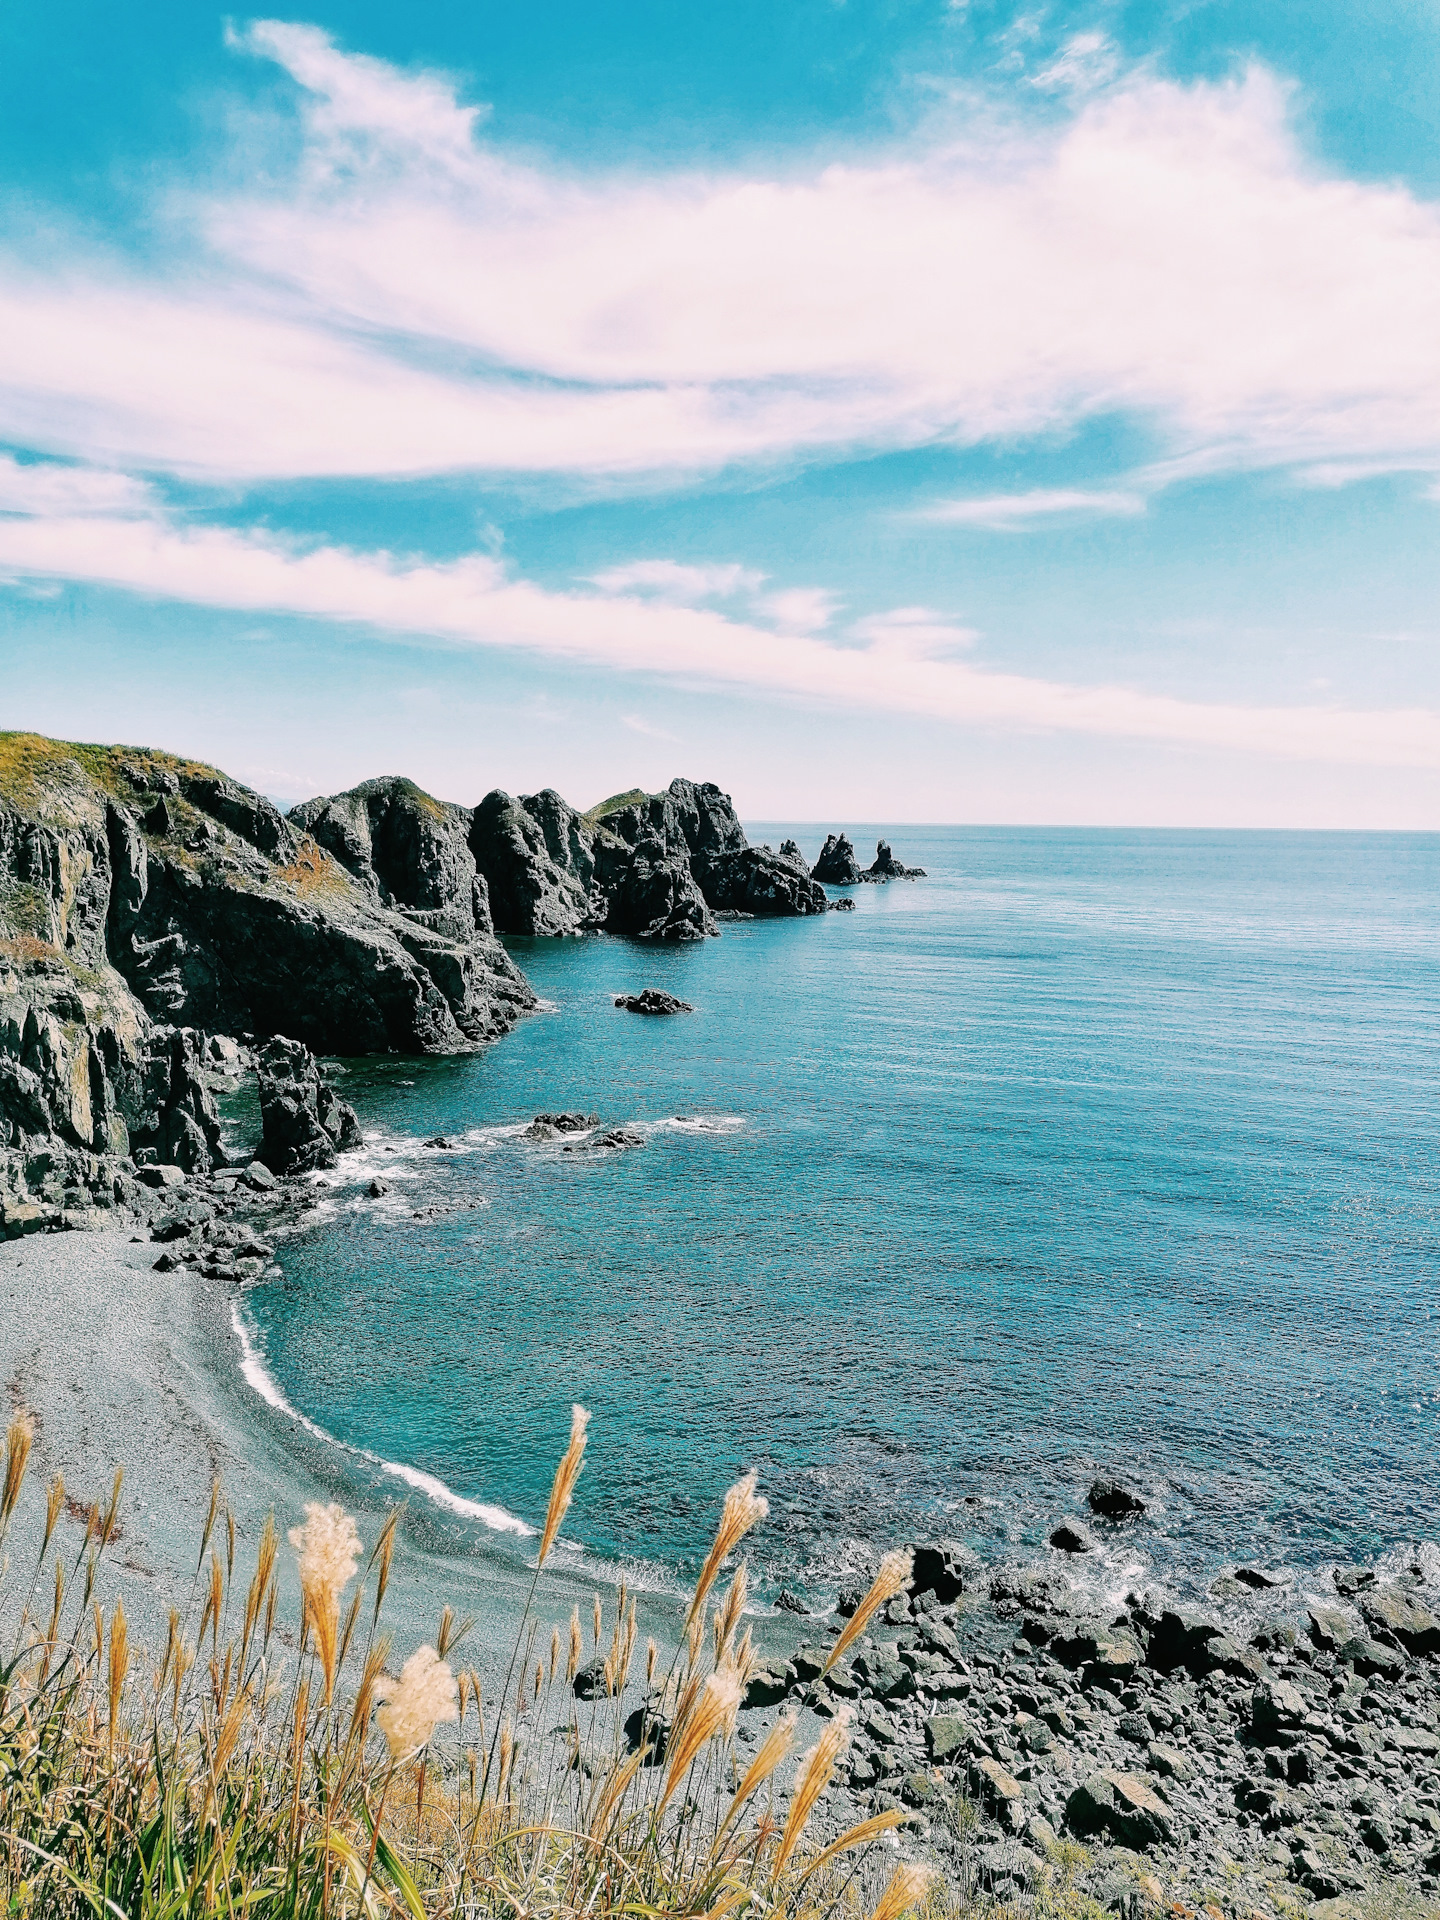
(1093, 1149)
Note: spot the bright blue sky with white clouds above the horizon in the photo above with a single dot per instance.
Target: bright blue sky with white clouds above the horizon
(892, 410)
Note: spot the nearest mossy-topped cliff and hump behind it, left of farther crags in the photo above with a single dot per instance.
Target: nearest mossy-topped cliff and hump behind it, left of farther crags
(149, 901)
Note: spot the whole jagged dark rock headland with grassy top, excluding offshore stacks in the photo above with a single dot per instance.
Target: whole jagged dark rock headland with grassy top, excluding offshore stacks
(151, 909)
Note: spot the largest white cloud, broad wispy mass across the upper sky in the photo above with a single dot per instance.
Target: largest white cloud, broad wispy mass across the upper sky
(414, 300)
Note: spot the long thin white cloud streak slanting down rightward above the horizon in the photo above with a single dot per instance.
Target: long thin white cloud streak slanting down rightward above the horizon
(475, 602)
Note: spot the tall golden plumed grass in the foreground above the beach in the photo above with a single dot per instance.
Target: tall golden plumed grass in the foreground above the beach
(285, 1771)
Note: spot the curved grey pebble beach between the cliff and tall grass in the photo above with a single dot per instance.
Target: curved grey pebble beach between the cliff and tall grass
(124, 1366)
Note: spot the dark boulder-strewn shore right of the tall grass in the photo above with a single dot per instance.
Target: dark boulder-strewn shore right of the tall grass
(1278, 1767)
